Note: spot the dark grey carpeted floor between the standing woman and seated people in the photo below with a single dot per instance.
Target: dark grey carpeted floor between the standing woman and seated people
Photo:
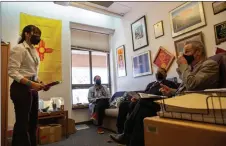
(86, 137)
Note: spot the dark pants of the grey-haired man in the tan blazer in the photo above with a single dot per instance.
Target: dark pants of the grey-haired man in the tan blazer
(134, 126)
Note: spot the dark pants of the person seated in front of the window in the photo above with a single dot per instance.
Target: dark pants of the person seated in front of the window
(100, 107)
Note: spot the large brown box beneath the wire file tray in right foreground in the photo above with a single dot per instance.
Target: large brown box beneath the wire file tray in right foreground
(172, 132)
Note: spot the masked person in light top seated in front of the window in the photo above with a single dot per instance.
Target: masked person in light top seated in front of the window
(99, 96)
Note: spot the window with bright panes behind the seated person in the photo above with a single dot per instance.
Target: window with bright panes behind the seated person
(86, 65)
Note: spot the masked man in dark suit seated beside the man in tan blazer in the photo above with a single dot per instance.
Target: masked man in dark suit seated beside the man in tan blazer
(126, 107)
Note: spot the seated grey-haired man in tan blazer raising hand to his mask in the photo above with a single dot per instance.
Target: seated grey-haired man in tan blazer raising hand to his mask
(196, 73)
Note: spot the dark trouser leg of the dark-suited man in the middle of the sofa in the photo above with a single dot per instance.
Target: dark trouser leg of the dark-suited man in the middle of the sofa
(125, 108)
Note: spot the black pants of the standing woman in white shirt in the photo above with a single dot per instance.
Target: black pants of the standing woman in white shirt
(26, 112)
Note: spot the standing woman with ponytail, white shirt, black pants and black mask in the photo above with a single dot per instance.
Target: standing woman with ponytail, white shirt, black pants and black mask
(23, 69)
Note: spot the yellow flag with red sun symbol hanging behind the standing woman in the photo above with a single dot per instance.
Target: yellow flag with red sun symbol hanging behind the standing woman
(49, 48)
